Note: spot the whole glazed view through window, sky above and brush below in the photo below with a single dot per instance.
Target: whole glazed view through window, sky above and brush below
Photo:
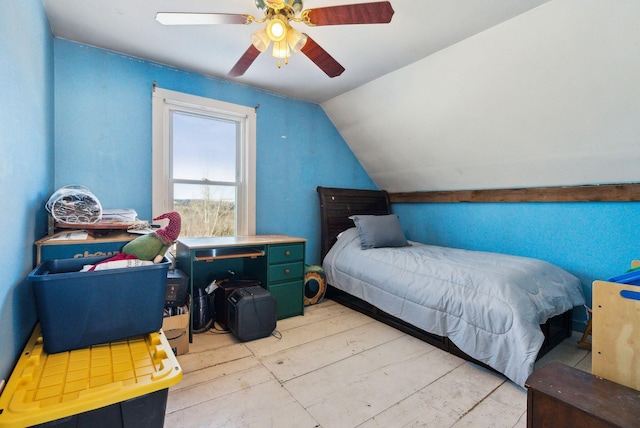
(204, 173)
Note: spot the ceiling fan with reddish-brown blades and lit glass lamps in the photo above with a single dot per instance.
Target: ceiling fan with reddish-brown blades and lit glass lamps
(278, 14)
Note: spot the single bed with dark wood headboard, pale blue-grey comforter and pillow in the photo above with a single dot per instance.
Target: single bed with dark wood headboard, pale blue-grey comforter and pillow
(500, 311)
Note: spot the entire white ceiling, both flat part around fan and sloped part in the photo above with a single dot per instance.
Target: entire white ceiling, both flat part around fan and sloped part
(455, 94)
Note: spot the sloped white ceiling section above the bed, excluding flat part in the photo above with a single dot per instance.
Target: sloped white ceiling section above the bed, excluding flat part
(548, 98)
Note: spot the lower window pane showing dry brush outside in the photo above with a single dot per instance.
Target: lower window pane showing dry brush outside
(205, 210)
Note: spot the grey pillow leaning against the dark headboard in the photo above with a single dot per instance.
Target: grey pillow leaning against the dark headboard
(377, 231)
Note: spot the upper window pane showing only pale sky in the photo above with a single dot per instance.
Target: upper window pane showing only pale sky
(203, 148)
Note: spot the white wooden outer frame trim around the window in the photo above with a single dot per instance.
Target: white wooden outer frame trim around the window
(164, 102)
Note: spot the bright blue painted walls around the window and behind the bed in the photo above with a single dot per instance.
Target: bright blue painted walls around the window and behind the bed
(100, 104)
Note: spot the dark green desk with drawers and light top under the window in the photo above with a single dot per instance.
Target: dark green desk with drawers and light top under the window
(277, 261)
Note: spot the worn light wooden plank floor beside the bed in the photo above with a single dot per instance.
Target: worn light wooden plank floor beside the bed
(334, 367)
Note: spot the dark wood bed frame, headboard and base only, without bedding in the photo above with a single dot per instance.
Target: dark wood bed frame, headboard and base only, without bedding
(336, 205)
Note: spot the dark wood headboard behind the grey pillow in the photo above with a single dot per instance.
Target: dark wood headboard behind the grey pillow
(336, 205)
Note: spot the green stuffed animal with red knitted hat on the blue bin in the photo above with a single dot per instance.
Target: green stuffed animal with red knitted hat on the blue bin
(154, 245)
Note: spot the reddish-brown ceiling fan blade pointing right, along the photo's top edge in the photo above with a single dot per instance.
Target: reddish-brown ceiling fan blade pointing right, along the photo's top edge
(363, 13)
